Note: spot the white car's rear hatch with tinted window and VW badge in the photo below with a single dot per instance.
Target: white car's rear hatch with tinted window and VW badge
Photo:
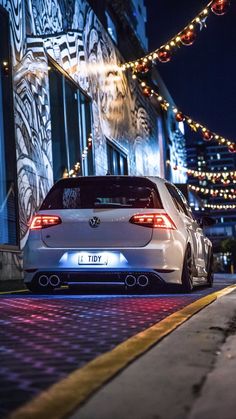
(95, 212)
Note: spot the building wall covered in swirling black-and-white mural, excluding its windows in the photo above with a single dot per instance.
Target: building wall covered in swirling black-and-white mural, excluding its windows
(70, 33)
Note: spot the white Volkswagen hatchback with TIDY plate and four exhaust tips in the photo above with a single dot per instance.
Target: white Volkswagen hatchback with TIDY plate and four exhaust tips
(133, 231)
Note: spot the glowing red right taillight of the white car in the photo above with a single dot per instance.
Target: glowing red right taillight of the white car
(154, 221)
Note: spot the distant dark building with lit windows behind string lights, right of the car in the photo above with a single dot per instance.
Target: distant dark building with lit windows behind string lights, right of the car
(215, 158)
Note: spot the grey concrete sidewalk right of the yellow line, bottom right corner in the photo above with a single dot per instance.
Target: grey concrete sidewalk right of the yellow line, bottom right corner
(190, 374)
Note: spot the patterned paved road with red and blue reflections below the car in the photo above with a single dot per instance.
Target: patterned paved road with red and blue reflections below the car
(44, 338)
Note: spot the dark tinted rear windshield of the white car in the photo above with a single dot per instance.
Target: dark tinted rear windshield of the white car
(102, 192)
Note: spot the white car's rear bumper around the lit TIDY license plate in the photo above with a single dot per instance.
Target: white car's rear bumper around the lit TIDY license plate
(161, 264)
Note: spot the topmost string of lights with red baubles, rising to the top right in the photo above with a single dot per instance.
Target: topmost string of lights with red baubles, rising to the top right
(185, 37)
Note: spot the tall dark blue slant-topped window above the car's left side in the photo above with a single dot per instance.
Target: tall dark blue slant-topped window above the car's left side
(71, 127)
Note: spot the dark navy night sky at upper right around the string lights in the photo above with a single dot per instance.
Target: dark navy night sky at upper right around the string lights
(201, 78)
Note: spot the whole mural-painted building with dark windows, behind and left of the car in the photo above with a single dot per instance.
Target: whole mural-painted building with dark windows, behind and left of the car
(68, 109)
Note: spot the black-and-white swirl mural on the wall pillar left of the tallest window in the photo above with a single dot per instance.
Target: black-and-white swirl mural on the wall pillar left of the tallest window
(33, 127)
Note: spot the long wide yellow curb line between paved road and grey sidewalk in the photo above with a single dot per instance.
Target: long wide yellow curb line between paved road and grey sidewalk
(65, 396)
